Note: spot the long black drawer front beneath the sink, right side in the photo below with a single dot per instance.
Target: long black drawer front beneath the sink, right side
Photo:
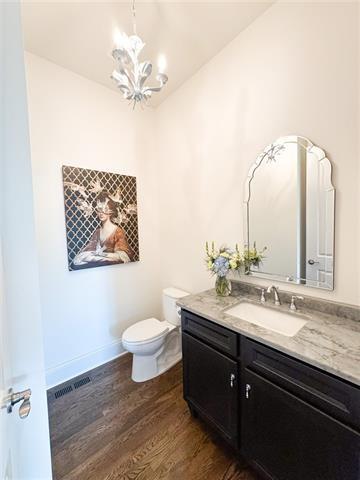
(332, 395)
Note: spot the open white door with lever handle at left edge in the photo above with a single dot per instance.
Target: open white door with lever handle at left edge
(24, 443)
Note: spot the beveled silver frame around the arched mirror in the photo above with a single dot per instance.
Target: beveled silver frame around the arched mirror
(269, 153)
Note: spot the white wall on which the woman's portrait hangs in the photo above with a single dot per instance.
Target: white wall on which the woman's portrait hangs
(77, 122)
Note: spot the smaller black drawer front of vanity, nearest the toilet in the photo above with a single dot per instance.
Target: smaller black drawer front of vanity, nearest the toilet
(213, 334)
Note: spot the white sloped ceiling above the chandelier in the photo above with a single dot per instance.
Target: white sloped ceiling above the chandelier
(79, 35)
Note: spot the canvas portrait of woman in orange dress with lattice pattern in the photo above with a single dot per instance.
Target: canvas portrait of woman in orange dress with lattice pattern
(101, 218)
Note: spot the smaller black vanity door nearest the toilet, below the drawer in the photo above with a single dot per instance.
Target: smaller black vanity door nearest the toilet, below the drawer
(211, 385)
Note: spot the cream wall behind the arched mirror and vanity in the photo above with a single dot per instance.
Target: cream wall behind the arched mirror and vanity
(293, 71)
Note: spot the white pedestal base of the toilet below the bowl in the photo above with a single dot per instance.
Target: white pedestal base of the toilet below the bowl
(146, 367)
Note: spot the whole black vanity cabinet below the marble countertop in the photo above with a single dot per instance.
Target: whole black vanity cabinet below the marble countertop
(290, 420)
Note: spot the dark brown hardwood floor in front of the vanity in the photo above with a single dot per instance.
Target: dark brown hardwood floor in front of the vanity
(113, 428)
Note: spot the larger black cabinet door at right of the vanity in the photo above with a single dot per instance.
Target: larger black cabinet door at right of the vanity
(291, 440)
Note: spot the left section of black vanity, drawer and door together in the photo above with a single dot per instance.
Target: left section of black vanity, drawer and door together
(210, 376)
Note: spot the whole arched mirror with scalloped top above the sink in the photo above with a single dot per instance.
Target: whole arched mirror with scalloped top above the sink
(289, 213)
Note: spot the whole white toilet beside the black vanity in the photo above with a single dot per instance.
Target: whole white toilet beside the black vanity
(155, 344)
